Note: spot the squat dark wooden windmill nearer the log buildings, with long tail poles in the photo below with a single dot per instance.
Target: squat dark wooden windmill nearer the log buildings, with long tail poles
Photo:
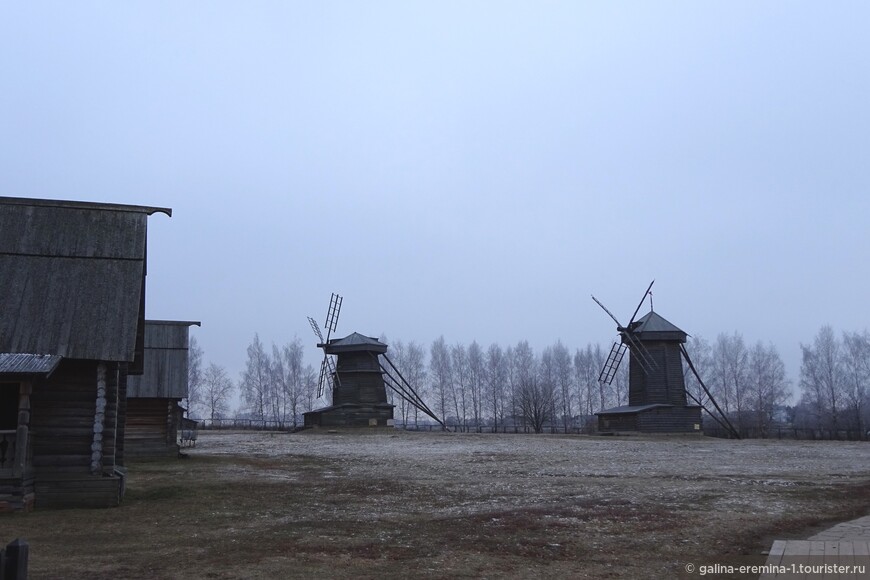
(353, 369)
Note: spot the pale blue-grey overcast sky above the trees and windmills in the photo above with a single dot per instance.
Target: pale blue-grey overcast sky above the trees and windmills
(471, 169)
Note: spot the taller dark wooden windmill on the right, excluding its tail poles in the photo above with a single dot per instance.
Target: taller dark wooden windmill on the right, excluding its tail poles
(657, 397)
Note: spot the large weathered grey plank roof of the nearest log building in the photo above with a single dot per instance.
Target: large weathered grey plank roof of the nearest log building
(72, 277)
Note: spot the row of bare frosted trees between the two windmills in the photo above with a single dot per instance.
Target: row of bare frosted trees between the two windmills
(496, 386)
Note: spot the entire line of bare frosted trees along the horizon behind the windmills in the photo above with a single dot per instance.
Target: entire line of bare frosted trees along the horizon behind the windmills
(508, 388)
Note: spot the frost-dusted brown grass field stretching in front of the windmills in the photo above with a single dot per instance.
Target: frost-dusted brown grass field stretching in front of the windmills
(389, 504)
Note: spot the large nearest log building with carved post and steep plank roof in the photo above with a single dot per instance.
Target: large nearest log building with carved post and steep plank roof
(72, 326)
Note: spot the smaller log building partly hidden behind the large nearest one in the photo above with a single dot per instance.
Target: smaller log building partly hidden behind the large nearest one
(154, 409)
